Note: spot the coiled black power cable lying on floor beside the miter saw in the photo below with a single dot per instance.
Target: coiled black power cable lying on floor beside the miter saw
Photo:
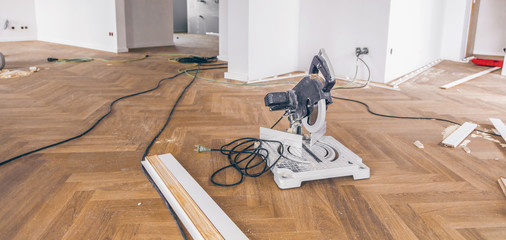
(245, 155)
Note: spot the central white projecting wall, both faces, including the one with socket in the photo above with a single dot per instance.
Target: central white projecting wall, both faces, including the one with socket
(267, 38)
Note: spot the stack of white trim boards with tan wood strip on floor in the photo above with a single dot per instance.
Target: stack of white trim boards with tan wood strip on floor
(201, 216)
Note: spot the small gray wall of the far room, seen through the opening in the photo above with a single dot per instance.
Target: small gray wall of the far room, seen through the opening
(203, 16)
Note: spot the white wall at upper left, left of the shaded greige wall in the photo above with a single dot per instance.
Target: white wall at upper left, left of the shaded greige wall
(78, 23)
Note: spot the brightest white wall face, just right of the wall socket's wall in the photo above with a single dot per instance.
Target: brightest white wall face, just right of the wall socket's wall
(414, 36)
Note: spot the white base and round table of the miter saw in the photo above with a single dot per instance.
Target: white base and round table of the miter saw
(329, 159)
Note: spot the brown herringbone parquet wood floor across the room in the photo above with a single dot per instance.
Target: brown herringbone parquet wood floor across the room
(93, 188)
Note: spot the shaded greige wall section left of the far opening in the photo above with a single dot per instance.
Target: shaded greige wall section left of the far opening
(149, 23)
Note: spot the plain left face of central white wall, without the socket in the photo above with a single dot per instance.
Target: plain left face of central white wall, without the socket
(273, 37)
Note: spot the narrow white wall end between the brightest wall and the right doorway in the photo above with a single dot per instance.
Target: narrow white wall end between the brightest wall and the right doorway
(457, 16)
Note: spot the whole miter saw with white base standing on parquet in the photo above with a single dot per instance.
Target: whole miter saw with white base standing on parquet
(312, 156)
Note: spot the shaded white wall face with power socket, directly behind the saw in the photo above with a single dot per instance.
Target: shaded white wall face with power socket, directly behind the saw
(340, 26)
